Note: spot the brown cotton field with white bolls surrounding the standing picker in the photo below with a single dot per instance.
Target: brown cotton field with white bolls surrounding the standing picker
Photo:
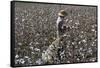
(35, 30)
